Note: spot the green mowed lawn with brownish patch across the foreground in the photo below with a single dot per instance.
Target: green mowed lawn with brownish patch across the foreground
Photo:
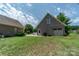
(37, 45)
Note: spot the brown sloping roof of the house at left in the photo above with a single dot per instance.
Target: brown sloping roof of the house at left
(10, 22)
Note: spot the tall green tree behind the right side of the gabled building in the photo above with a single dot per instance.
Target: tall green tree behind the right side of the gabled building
(65, 20)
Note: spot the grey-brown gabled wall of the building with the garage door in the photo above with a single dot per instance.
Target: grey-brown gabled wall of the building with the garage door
(51, 28)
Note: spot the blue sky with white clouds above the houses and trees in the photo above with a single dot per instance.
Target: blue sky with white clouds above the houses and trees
(33, 13)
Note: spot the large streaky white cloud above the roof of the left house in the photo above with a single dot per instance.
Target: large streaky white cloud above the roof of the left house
(12, 12)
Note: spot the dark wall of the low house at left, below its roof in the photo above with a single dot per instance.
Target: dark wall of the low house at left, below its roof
(8, 30)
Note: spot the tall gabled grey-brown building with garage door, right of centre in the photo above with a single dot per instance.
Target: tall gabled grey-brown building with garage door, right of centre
(50, 26)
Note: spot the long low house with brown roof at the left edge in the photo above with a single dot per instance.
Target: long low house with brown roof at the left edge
(9, 26)
